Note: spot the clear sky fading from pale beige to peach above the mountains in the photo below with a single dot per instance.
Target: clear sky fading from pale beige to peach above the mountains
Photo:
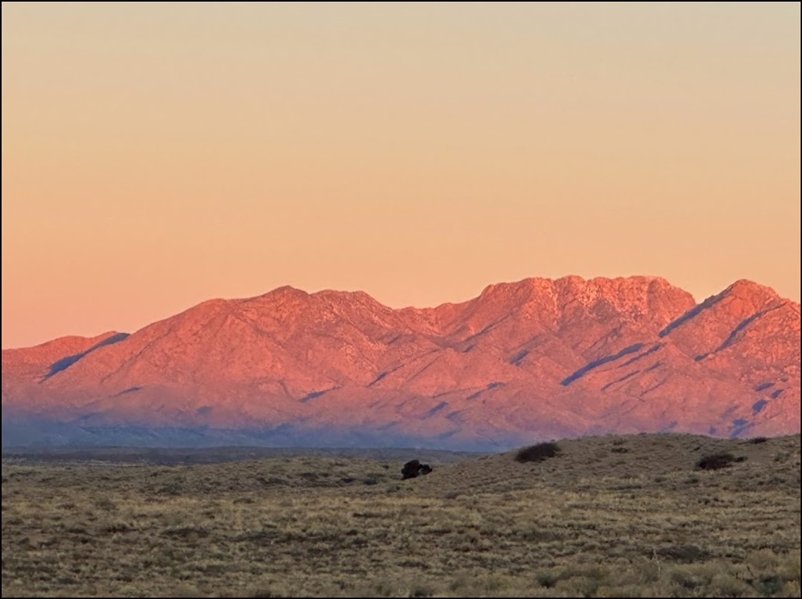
(158, 155)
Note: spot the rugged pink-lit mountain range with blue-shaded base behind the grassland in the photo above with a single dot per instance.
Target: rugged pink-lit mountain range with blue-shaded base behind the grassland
(523, 361)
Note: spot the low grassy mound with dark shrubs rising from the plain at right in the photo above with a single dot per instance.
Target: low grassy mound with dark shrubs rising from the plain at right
(629, 462)
